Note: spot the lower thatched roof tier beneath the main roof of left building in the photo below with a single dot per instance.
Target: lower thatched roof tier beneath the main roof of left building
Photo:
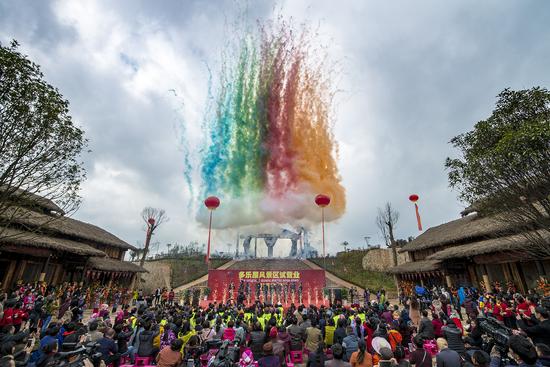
(17, 237)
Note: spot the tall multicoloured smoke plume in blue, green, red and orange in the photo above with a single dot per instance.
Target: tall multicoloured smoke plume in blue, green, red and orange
(270, 148)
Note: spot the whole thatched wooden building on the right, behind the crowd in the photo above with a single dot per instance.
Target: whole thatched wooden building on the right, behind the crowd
(472, 250)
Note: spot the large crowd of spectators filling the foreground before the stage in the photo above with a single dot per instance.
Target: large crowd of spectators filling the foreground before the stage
(45, 326)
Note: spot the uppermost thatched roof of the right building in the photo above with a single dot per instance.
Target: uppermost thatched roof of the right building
(470, 227)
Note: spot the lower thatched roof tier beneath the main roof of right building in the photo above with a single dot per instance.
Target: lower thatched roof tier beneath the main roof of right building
(507, 244)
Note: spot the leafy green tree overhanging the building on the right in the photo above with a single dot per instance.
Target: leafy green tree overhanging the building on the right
(504, 165)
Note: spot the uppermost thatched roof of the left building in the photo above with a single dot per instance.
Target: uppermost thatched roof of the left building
(63, 226)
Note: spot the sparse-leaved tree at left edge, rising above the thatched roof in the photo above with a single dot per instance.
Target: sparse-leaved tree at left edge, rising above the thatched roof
(40, 146)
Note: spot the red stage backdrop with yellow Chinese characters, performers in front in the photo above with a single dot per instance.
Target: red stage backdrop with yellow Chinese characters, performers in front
(272, 286)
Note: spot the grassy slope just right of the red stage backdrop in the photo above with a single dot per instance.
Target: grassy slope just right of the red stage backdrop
(349, 266)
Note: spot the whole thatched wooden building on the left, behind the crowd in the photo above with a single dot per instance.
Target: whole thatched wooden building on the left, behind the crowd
(39, 243)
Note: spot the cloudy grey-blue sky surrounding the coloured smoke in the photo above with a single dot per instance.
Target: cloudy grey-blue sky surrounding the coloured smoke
(414, 74)
